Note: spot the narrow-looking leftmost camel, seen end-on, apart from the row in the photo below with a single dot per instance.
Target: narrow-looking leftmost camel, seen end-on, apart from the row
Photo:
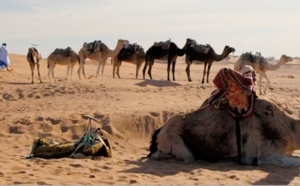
(33, 58)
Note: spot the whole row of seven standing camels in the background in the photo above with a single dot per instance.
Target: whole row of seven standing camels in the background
(135, 54)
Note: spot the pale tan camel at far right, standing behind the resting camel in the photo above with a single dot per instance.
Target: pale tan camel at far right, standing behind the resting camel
(260, 65)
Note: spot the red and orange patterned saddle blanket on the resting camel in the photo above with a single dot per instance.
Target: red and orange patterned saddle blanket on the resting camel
(235, 91)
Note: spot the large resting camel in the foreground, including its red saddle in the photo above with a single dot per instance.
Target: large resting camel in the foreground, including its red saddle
(251, 134)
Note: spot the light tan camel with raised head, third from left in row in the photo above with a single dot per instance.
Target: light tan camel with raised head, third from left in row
(99, 52)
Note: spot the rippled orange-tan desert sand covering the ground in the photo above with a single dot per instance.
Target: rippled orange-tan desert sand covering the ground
(129, 111)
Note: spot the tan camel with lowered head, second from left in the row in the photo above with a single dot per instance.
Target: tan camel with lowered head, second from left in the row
(62, 57)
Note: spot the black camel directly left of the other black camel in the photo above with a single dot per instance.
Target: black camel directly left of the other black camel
(162, 51)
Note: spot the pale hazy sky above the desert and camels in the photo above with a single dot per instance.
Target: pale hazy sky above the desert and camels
(271, 27)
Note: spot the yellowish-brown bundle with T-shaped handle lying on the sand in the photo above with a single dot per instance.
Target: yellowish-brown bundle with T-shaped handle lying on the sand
(93, 144)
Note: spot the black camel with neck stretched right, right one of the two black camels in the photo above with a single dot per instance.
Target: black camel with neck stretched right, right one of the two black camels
(206, 54)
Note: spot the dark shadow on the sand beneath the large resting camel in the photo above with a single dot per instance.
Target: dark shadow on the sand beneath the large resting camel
(162, 168)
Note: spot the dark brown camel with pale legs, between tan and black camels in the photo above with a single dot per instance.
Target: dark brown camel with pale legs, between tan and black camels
(131, 53)
